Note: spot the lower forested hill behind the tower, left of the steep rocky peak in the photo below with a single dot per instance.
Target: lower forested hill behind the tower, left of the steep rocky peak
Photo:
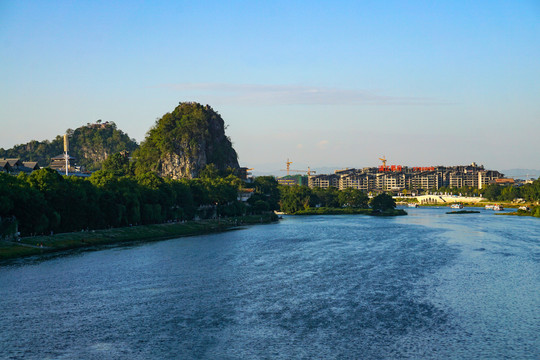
(90, 145)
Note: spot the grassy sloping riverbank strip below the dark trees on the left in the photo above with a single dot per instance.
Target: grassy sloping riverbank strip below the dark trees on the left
(37, 245)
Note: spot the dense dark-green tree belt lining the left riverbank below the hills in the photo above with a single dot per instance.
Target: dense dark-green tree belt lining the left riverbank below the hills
(46, 201)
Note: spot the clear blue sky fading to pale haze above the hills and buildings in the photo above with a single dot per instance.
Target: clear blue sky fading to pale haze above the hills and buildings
(335, 84)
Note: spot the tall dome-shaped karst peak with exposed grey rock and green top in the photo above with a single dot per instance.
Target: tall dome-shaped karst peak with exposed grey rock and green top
(183, 142)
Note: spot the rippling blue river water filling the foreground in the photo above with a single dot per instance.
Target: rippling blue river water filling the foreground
(427, 285)
